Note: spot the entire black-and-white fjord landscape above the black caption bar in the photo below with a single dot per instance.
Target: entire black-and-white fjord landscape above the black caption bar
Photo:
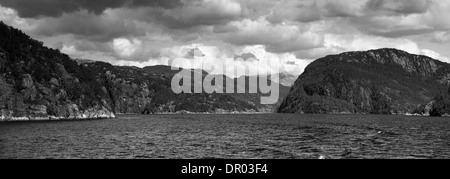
(224, 79)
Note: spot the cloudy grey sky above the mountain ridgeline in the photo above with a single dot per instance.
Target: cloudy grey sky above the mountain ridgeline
(289, 33)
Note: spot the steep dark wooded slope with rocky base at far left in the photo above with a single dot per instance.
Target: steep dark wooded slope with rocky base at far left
(35, 83)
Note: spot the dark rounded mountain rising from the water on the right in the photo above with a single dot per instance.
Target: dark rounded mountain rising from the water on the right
(383, 81)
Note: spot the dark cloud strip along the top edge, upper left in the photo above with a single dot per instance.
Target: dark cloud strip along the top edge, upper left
(55, 8)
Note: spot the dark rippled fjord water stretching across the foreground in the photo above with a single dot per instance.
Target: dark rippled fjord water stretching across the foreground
(265, 136)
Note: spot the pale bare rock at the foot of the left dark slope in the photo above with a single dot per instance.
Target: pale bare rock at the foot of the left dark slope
(24, 105)
